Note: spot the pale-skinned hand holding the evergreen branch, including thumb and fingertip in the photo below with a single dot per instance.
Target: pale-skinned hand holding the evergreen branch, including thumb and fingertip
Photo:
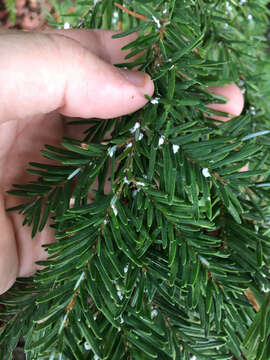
(44, 76)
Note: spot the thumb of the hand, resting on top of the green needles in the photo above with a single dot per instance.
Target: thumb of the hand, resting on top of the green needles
(41, 73)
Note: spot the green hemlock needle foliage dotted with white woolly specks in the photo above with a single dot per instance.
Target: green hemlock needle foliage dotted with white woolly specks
(169, 263)
